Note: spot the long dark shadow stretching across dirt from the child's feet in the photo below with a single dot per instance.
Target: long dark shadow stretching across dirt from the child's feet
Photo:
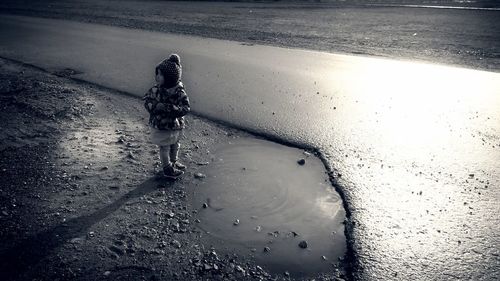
(21, 257)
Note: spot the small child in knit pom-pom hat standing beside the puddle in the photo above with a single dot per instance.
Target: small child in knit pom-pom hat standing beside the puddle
(167, 103)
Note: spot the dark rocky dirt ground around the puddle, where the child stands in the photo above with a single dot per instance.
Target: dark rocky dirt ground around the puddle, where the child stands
(80, 194)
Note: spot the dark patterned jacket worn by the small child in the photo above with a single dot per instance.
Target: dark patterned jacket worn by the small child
(167, 107)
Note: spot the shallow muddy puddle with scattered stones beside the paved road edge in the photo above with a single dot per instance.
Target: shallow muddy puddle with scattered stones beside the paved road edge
(277, 202)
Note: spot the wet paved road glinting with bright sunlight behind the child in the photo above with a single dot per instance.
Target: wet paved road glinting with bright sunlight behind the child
(413, 147)
